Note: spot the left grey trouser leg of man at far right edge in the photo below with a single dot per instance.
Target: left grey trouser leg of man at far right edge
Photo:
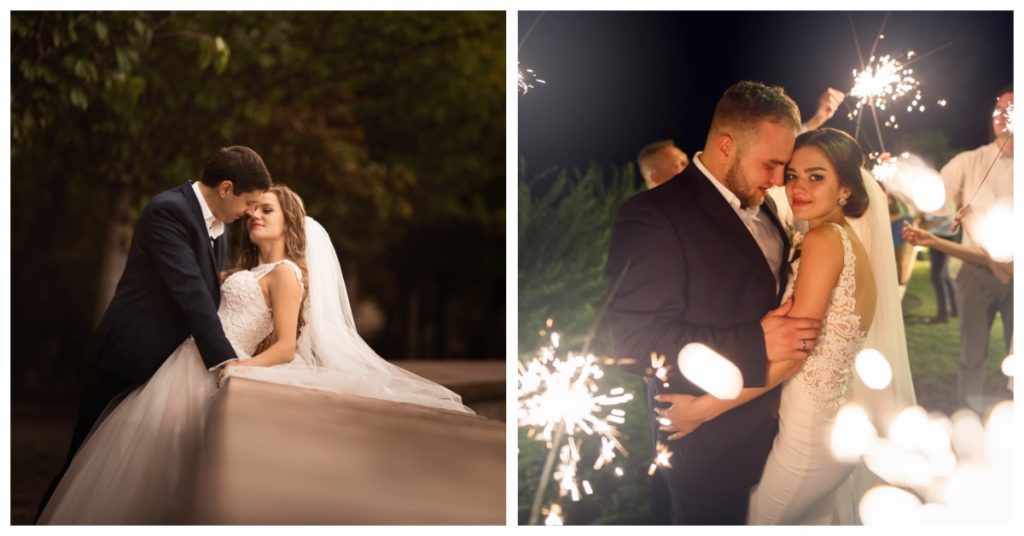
(978, 306)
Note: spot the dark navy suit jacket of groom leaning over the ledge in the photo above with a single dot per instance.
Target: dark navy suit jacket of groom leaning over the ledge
(170, 290)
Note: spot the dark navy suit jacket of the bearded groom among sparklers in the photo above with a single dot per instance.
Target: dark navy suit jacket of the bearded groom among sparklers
(697, 275)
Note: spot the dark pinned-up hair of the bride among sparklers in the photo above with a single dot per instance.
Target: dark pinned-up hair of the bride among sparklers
(847, 157)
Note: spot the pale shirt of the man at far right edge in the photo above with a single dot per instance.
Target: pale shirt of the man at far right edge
(963, 177)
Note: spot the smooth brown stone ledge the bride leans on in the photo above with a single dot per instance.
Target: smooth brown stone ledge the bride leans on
(279, 455)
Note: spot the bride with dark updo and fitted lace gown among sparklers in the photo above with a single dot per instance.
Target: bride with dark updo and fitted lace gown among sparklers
(845, 276)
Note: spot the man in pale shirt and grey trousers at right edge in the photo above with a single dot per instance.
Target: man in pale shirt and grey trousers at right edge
(982, 180)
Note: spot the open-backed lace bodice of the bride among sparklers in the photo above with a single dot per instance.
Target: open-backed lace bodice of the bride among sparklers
(828, 373)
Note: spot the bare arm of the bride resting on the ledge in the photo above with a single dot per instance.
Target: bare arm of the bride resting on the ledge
(286, 299)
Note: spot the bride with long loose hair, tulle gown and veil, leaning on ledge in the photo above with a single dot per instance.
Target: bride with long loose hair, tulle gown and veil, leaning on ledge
(139, 464)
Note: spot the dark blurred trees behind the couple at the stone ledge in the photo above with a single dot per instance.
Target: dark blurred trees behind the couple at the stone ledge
(392, 127)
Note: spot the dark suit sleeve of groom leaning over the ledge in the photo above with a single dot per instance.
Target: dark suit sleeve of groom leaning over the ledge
(164, 231)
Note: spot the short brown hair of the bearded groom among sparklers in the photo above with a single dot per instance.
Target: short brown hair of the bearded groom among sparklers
(747, 104)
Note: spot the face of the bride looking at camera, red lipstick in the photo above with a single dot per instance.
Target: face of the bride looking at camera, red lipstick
(813, 186)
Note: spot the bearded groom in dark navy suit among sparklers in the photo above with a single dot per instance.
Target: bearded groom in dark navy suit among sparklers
(707, 263)
